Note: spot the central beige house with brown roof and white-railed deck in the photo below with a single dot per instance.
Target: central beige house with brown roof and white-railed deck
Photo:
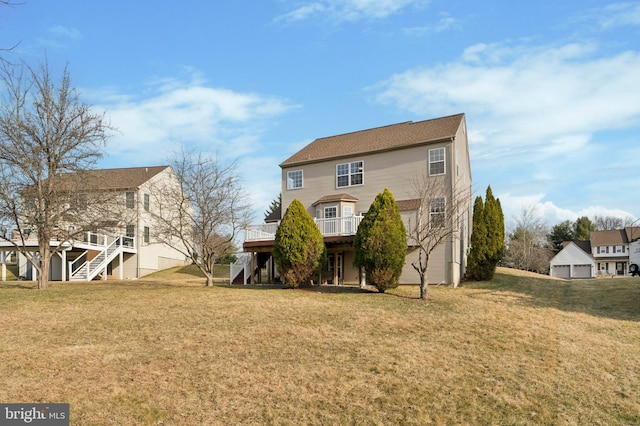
(337, 178)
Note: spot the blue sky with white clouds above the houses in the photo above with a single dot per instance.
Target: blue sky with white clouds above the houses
(551, 89)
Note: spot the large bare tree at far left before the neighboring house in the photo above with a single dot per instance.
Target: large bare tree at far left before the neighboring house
(47, 138)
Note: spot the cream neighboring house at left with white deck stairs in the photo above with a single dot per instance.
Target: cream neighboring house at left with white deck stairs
(129, 251)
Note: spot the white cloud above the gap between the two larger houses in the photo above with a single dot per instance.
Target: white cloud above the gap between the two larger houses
(228, 122)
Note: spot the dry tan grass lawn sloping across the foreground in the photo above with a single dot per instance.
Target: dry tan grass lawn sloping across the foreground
(517, 350)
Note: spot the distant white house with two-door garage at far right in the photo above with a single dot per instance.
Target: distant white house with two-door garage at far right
(607, 253)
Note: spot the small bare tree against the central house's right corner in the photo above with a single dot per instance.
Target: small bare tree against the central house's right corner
(437, 221)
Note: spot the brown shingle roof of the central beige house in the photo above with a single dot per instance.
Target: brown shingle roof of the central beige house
(384, 138)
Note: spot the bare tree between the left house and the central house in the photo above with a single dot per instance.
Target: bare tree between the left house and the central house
(202, 217)
